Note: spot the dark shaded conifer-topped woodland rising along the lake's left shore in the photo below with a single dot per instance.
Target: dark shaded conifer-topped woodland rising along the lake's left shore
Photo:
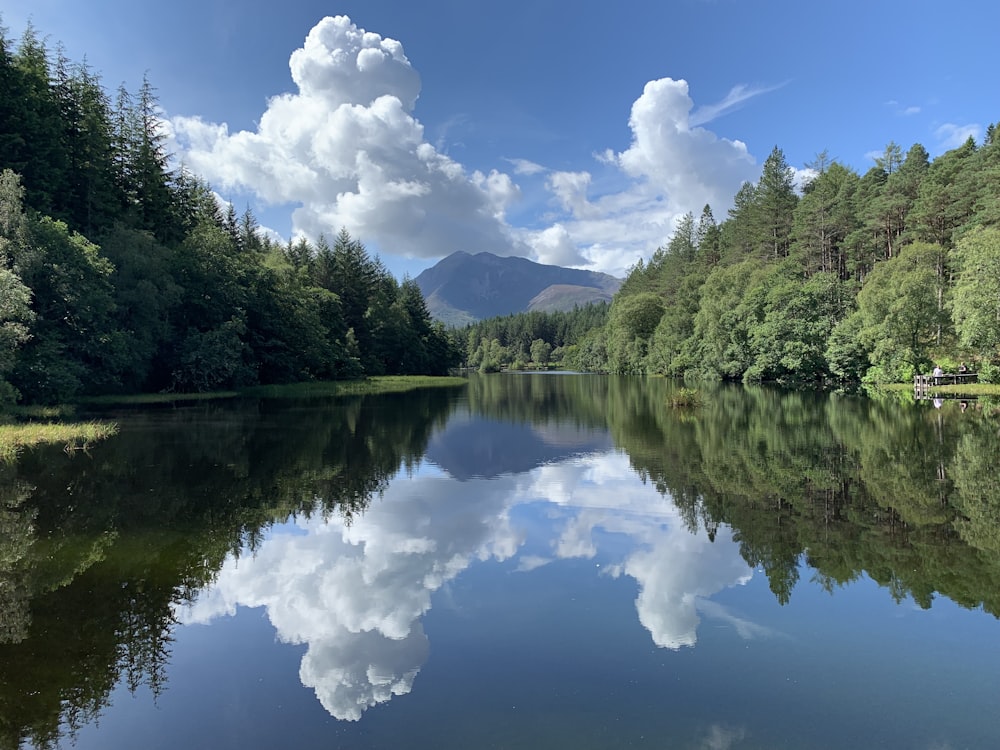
(121, 274)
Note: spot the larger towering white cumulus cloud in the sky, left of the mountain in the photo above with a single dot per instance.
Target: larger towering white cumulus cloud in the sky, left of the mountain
(347, 149)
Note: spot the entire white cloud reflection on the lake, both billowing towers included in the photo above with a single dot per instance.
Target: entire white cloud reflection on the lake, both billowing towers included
(355, 594)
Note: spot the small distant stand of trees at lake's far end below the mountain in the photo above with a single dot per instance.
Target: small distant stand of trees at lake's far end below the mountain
(530, 337)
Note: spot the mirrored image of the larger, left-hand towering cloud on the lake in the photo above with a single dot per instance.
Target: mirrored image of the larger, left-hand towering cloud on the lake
(354, 590)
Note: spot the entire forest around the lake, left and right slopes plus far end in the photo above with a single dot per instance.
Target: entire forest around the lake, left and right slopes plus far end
(120, 273)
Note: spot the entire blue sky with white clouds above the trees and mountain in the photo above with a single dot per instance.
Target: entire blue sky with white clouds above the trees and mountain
(571, 133)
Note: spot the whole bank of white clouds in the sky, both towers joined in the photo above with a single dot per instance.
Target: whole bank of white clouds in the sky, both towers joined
(345, 150)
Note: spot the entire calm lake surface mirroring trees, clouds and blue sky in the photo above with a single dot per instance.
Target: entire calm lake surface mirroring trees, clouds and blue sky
(533, 561)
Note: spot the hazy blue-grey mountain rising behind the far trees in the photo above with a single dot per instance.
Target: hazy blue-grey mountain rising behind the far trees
(464, 288)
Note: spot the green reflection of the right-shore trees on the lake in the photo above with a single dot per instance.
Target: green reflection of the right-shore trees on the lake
(900, 492)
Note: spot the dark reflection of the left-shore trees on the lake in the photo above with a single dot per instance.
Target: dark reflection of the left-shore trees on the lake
(97, 553)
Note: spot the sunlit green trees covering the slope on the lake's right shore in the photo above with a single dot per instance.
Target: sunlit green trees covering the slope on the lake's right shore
(857, 278)
